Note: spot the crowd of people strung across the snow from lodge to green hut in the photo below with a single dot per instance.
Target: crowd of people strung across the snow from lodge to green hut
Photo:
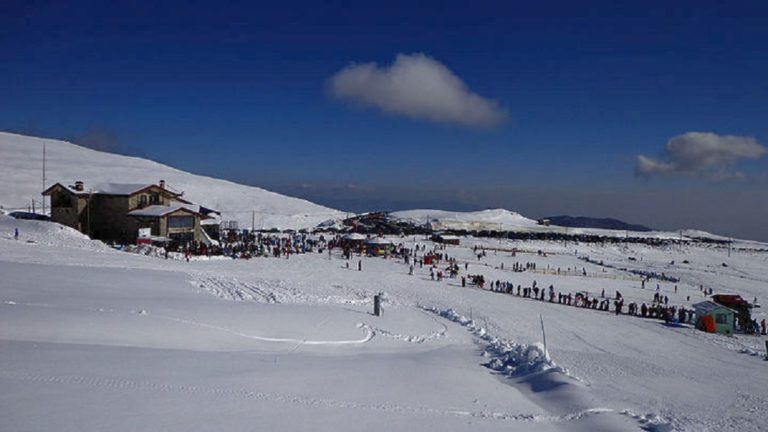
(245, 245)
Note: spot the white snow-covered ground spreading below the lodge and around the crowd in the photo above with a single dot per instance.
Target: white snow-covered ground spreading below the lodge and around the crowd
(96, 339)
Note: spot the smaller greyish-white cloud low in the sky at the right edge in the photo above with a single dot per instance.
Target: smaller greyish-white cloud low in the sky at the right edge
(702, 152)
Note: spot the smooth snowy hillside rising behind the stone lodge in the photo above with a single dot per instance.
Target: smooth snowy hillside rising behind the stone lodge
(21, 164)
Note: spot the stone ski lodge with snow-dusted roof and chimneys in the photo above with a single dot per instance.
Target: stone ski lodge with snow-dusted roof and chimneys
(115, 211)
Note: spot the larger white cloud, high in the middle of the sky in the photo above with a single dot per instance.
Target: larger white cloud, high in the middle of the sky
(416, 86)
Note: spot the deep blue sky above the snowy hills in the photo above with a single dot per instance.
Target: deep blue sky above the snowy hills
(243, 91)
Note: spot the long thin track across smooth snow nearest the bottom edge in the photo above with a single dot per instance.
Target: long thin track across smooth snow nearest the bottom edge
(124, 384)
